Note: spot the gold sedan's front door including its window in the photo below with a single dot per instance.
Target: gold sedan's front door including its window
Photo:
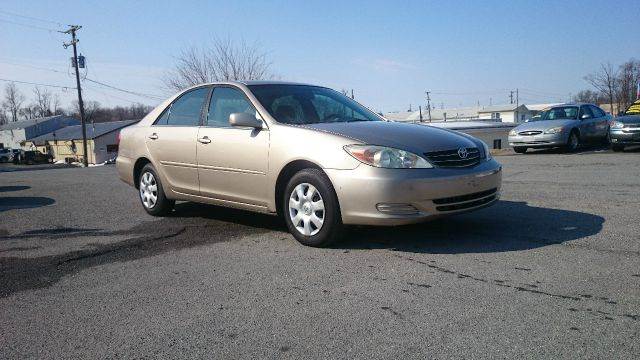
(232, 161)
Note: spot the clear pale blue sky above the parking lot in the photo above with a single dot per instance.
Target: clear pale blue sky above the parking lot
(389, 52)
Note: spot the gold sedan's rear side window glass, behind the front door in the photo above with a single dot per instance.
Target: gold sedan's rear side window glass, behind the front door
(186, 110)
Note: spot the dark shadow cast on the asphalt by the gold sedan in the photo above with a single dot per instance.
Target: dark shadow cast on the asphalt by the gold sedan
(506, 226)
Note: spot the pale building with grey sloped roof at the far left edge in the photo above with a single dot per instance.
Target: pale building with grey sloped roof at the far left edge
(14, 133)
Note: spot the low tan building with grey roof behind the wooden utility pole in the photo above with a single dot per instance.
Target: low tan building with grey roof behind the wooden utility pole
(66, 143)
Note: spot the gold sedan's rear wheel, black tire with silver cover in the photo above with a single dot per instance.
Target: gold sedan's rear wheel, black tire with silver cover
(152, 196)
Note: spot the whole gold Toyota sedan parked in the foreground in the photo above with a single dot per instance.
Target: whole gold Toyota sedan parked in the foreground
(307, 153)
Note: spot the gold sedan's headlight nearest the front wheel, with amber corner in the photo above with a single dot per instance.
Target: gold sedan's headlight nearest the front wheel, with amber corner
(385, 157)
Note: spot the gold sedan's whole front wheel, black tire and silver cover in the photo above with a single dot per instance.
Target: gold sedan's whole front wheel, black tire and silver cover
(311, 210)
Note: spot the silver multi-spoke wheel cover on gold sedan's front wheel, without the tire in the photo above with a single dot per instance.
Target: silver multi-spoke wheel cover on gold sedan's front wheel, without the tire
(306, 209)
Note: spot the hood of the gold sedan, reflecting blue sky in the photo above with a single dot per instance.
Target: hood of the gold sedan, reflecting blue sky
(410, 137)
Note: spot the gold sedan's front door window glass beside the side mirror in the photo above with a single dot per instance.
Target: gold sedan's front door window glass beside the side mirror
(224, 102)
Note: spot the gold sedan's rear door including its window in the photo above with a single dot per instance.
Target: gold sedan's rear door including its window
(171, 140)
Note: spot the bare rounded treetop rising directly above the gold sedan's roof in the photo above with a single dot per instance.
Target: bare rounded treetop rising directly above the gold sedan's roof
(223, 60)
